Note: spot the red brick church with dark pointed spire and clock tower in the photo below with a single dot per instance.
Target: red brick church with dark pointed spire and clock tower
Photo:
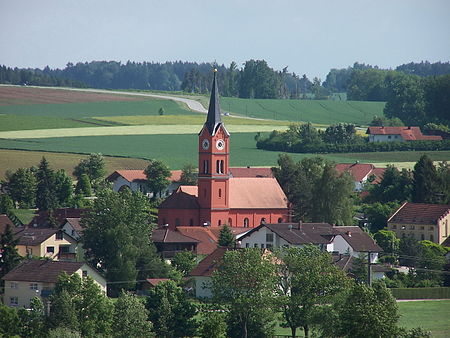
(220, 197)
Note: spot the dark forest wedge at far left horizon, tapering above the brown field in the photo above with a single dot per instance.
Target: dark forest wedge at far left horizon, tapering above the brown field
(36, 77)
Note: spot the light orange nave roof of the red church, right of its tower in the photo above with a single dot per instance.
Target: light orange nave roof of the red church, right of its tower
(256, 193)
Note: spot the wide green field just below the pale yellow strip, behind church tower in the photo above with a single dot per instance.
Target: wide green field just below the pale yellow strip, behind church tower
(177, 150)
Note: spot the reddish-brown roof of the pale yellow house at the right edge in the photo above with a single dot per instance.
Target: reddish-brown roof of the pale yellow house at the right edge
(420, 213)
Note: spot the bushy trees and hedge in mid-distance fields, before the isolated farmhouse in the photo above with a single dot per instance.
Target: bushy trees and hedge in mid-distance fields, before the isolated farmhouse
(339, 138)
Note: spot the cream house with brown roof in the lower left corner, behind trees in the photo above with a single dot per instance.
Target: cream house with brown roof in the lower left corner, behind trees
(37, 278)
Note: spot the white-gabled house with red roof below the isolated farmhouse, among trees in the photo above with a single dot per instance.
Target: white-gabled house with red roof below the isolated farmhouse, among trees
(361, 173)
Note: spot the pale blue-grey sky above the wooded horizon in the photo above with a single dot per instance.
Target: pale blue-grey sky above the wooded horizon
(307, 36)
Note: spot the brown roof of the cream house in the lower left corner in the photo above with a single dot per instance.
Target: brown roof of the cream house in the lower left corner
(42, 271)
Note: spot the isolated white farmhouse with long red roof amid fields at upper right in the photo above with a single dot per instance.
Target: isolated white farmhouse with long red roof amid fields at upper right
(399, 134)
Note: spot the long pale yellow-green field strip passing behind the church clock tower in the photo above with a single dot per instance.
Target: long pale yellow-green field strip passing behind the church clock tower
(128, 130)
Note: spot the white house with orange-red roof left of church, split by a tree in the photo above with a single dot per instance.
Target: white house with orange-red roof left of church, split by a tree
(136, 180)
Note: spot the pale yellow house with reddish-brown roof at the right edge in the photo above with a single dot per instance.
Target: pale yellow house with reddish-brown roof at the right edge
(422, 221)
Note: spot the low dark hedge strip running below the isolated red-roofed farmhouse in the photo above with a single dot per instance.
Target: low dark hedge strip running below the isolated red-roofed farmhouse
(279, 144)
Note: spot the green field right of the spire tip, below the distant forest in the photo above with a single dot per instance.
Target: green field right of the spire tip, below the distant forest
(323, 112)
